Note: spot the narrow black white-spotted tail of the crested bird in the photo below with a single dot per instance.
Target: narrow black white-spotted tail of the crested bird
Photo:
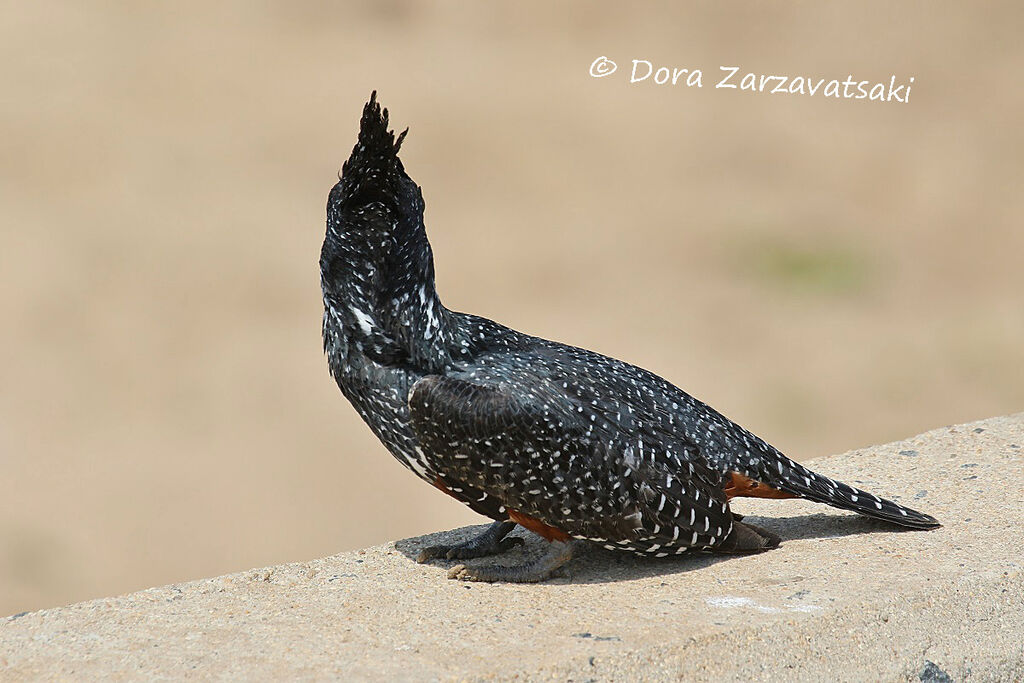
(785, 475)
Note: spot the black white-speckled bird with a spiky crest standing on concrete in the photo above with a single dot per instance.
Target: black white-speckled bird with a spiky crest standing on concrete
(576, 447)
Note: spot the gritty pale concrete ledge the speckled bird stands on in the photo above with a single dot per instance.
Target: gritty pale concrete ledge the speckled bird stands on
(844, 599)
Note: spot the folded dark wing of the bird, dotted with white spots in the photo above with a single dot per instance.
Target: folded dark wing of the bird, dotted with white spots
(546, 458)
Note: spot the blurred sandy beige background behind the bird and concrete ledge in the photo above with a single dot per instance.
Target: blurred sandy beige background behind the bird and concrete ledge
(830, 274)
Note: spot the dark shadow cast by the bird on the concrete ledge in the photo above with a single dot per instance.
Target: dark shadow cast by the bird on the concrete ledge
(598, 566)
